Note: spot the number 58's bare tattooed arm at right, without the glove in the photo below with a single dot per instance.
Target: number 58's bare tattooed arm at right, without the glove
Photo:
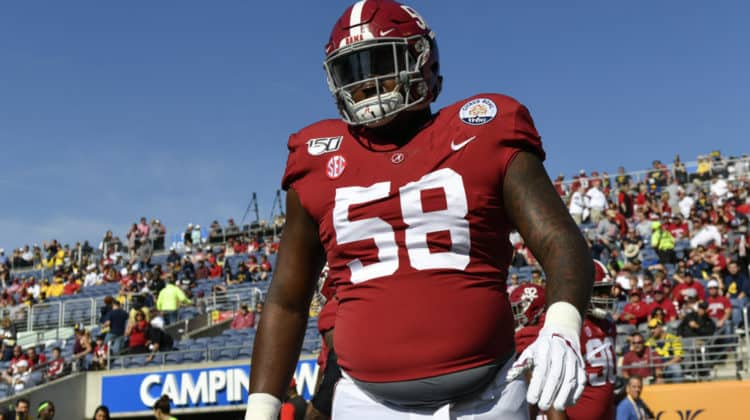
(541, 218)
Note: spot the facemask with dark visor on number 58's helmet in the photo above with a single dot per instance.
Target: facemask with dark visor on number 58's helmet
(373, 80)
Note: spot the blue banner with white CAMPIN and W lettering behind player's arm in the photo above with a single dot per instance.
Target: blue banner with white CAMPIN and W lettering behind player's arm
(215, 386)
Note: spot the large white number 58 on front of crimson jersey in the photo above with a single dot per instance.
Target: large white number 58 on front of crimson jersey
(419, 224)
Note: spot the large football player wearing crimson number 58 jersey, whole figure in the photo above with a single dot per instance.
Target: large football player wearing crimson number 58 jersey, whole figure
(412, 210)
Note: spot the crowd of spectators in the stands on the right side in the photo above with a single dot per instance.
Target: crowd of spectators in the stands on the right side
(676, 244)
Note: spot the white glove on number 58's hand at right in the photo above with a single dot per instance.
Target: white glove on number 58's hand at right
(558, 375)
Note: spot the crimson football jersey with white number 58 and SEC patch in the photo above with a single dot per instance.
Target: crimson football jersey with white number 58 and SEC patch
(416, 237)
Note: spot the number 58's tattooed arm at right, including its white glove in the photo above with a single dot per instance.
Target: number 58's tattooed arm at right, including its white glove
(532, 205)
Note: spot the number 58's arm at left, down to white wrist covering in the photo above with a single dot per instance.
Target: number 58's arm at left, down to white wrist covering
(282, 326)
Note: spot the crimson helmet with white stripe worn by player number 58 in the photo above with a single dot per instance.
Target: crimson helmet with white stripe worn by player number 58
(381, 59)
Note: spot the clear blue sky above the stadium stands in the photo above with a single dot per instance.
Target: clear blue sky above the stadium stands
(181, 109)
